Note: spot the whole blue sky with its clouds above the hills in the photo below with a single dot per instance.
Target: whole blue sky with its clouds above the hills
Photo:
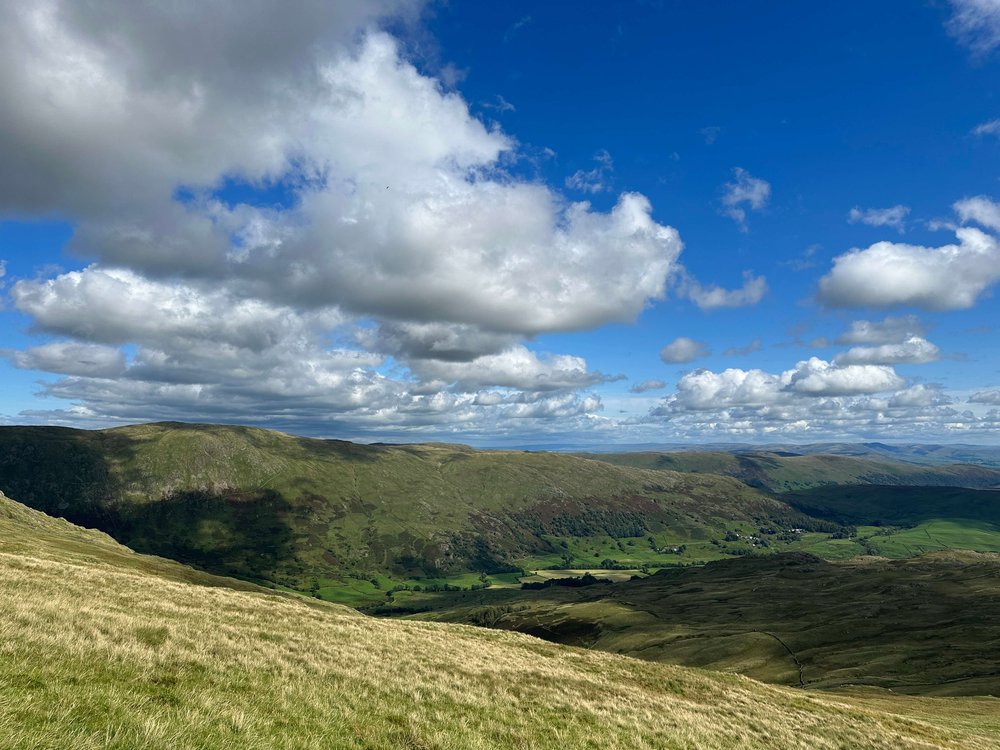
(505, 223)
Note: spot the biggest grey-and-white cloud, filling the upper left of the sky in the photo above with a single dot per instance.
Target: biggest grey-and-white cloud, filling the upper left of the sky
(387, 167)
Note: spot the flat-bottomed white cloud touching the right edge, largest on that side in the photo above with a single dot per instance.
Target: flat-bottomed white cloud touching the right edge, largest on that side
(894, 274)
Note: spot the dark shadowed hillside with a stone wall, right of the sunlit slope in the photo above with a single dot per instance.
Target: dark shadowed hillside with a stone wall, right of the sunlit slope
(926, 625)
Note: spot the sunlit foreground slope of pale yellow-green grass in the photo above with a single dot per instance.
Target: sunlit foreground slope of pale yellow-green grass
(100, 654)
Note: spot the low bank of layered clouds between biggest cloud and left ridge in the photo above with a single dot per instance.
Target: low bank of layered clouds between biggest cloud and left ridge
(204, 354)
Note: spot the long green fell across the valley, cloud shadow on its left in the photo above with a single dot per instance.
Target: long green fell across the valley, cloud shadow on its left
(319, 514)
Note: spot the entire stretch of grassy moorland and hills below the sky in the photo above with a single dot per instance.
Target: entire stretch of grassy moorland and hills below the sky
(759, 598)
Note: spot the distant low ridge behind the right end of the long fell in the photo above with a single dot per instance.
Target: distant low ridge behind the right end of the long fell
(785, 472)
